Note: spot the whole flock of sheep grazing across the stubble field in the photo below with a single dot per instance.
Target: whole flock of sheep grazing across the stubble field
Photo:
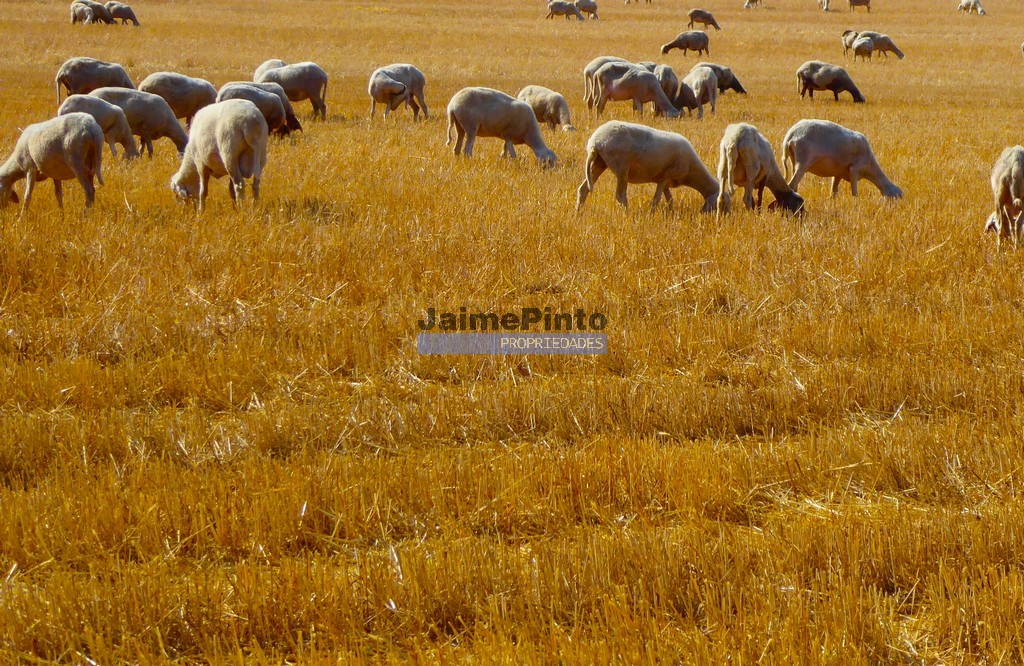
(228, 130)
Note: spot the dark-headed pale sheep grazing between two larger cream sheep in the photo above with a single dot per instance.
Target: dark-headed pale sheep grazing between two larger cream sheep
(746, 159)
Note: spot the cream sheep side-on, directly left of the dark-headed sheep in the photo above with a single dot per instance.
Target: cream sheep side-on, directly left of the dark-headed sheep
(639, 154)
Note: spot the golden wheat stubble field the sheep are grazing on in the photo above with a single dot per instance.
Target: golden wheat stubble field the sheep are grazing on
(219, 443)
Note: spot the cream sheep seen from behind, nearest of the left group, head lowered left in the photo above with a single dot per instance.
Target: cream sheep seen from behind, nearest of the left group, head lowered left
(227, 139)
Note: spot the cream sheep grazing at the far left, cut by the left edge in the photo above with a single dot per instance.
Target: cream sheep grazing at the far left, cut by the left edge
(63, 148)
